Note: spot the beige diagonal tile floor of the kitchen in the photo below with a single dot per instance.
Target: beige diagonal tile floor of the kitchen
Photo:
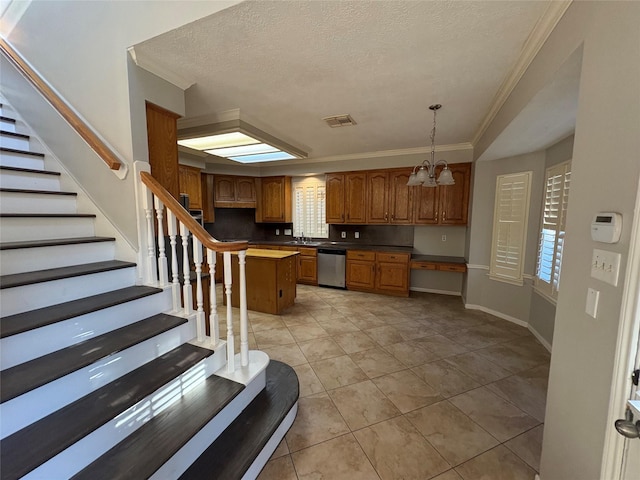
(405, 388)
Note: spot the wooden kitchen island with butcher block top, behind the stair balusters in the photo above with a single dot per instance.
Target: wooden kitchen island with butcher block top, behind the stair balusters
(271, 280)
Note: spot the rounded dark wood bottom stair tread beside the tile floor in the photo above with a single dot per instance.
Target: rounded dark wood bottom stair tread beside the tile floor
(233, 452)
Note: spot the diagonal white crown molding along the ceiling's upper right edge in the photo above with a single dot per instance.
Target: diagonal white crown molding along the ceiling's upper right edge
(532, 46)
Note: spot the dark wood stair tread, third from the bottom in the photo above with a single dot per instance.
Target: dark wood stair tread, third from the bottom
(30, 447)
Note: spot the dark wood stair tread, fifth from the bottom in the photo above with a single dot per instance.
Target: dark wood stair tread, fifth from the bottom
(23, 322)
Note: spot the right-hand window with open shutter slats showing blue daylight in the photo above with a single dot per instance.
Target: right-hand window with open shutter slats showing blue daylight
(556, 197)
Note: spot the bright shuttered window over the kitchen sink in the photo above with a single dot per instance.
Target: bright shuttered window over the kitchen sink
(309, 208)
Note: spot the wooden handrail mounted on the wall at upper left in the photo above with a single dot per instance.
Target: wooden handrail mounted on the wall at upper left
(98, 146)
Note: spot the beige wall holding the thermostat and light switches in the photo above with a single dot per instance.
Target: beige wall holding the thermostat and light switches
(606, 138)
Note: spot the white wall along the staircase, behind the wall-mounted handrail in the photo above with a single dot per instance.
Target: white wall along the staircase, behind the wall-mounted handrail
(80, 48)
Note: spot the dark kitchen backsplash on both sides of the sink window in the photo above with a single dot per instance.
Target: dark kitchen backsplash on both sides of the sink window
(239, 224)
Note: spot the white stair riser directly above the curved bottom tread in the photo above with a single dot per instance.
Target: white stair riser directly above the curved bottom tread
(188, 454)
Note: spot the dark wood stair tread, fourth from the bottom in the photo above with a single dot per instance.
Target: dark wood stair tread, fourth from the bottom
(28, 376)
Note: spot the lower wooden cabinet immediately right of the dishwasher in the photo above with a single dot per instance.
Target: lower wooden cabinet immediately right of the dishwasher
(379, 272)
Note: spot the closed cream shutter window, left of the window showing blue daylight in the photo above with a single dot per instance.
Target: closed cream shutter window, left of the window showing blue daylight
(510, 217)
